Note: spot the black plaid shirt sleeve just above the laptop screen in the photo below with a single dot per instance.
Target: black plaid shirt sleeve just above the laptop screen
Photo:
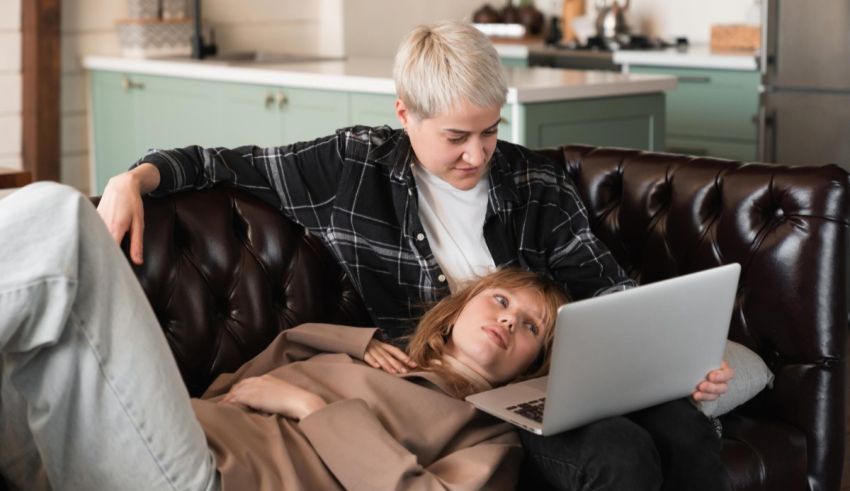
(577, 258)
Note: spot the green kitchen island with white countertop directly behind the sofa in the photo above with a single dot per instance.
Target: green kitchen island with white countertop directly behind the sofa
(141, 104)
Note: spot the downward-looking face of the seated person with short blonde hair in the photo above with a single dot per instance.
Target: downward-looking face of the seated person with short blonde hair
(455, 146)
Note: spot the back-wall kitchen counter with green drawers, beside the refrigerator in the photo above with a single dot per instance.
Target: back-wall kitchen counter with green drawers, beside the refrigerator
(714, 109)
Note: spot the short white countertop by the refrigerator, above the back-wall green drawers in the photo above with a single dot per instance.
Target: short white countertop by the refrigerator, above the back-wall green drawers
(694, 57)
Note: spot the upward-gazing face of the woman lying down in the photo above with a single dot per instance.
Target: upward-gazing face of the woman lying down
(499, 333)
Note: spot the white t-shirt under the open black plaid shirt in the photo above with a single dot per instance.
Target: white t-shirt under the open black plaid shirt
(454, 223)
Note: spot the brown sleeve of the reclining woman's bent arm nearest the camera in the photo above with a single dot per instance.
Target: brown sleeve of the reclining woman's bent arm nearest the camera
(363, 455)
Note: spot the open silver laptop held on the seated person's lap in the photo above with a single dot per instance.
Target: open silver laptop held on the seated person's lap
(624, 351)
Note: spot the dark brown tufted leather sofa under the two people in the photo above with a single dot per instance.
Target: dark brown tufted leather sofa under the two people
(225, 273)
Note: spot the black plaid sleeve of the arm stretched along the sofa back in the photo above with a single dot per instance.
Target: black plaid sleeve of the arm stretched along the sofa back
(300, 179)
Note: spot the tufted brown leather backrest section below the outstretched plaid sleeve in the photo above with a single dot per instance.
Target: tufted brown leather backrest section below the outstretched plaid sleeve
(226, 273)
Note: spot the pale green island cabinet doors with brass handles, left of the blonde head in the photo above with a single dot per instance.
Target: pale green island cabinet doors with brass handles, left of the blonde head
(134, 113)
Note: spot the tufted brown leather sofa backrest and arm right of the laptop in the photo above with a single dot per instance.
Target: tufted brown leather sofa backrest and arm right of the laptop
(665, 215)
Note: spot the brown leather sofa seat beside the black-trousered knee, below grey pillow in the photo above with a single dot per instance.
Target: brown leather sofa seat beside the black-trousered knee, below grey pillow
(763, 455)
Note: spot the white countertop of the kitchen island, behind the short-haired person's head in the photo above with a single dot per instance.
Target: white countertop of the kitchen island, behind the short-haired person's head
(375, 76)
